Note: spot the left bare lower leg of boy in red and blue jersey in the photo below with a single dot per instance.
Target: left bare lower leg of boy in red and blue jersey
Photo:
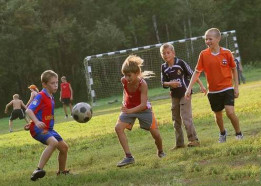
(52, 145)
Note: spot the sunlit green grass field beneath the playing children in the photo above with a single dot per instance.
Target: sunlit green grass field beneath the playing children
(95, 150)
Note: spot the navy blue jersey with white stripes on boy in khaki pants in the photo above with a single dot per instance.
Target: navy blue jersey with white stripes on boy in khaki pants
(181, 72)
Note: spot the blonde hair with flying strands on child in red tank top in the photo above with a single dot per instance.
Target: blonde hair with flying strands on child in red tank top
(133, 64)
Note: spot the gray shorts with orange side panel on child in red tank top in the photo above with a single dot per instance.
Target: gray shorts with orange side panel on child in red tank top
(146, 119)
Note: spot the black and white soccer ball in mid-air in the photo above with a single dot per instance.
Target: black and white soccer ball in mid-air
(82, 112)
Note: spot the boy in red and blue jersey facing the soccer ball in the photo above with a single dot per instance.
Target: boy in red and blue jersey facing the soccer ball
(41, 111)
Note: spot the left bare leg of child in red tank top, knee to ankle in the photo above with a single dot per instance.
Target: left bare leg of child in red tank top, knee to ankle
(119, 129)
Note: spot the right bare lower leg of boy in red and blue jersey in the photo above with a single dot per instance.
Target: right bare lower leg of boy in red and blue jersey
(62, 157)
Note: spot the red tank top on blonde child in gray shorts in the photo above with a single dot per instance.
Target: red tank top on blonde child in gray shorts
(133, 99)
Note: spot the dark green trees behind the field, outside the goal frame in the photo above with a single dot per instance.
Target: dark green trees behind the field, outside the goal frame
(57, 34)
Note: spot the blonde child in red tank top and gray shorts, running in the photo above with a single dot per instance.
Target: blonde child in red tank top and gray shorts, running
(135, 106)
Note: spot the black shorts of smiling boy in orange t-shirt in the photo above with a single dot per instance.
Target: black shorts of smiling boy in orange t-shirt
(219, 100)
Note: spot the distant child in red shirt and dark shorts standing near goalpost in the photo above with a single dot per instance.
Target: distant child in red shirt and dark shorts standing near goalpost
(66, 95)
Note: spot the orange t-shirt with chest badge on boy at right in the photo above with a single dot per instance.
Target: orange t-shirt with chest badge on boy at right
(217, 69)
